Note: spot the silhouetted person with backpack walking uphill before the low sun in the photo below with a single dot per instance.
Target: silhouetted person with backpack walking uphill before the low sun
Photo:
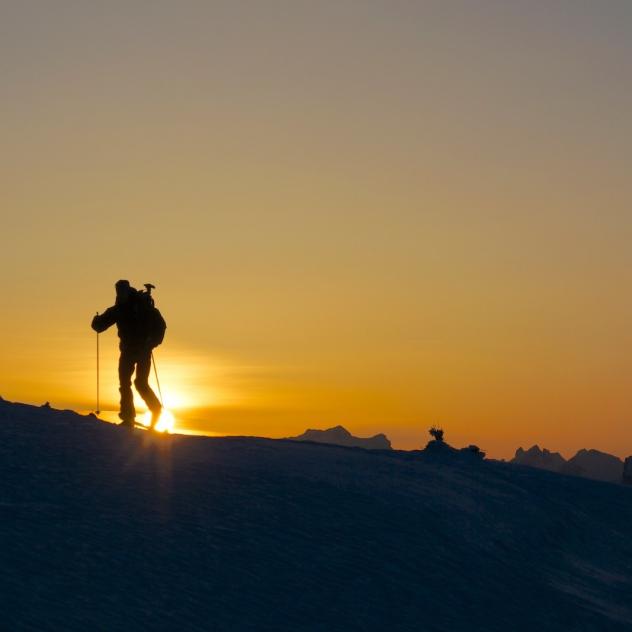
(141, 327)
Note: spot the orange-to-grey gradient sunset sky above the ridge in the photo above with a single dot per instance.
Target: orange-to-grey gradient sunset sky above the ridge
(384, 215)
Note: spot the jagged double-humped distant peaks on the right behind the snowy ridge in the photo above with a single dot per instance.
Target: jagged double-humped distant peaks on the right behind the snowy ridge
(588, 463)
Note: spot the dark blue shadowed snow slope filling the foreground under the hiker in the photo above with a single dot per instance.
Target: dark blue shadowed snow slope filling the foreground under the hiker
(102, 529)
